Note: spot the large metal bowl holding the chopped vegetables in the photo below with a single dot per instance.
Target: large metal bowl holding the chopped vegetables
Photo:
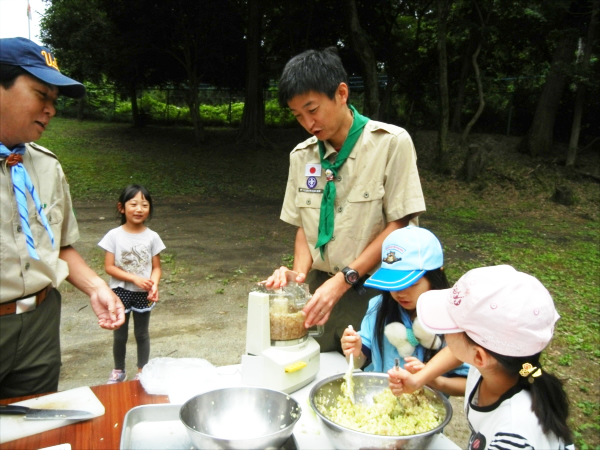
(366, 385)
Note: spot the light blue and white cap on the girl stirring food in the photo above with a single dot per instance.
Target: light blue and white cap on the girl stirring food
(406, 255)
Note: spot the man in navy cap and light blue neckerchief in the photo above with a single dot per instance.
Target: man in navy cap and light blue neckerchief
(37, 226)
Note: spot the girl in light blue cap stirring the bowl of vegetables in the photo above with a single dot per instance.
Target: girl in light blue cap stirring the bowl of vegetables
(411, 264)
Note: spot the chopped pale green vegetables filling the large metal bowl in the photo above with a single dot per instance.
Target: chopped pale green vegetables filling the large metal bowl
(389, 415)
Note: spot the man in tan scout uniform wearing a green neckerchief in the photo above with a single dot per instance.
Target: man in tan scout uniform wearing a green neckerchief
(349, 186)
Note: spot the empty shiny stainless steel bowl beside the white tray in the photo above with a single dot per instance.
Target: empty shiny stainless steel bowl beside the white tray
(240, 418)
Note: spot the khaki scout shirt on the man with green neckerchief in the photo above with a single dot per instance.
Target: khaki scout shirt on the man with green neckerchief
(378, 183)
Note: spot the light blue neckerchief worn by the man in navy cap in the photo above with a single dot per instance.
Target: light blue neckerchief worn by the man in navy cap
(22, 185)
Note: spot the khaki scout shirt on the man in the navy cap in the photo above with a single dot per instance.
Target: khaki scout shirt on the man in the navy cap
(21, 275)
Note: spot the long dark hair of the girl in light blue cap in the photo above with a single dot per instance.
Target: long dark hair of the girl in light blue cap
(389, 311)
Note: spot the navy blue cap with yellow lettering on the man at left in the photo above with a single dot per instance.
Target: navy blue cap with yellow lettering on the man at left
(39, 62)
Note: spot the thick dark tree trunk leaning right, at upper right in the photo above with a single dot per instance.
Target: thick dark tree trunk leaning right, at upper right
(539, 137)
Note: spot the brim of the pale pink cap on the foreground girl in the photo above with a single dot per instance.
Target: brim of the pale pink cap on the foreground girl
(433, 313)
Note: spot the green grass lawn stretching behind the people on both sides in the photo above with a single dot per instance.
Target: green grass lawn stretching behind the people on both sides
(507, 217)
